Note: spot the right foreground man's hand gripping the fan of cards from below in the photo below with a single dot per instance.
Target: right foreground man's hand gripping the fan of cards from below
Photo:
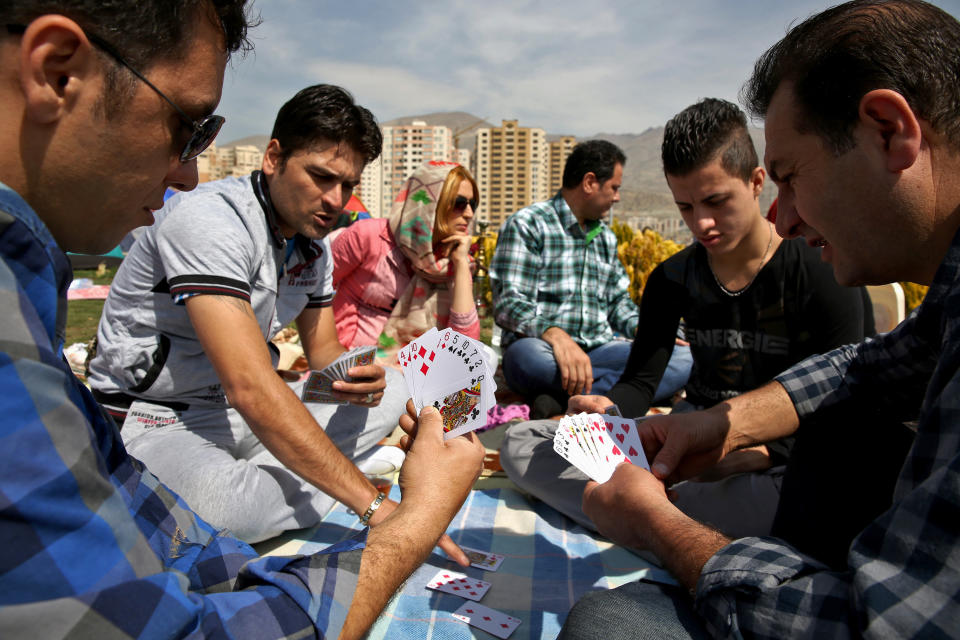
(624, 506)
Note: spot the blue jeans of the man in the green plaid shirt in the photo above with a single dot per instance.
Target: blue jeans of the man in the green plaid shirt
(531, 369)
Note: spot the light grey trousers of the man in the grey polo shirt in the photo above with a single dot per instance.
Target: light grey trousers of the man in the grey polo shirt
(215, 462)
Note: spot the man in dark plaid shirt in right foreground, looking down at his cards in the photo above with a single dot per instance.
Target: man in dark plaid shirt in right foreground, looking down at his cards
(863, 140)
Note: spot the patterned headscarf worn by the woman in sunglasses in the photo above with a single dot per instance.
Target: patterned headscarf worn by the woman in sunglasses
(411, 221)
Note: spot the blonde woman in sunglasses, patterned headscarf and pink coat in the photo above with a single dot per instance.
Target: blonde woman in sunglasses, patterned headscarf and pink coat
(410, 271)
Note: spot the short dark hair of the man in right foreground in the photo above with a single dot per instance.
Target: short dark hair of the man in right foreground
(837, 56)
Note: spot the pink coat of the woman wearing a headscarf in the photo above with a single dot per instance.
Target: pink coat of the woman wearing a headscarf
(370, 273)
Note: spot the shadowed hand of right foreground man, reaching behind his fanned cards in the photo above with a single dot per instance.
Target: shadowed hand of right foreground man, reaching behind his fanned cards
(682, 445)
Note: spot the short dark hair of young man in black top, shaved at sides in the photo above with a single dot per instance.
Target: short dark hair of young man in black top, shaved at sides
(704, 131)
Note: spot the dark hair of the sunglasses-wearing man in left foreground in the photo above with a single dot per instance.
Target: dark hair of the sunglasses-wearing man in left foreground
(142, 31)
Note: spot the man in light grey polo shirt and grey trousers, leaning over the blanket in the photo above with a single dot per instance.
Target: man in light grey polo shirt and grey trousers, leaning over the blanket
(183, 342)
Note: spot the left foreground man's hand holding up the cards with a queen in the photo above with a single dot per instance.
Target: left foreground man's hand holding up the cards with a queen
(438, 474)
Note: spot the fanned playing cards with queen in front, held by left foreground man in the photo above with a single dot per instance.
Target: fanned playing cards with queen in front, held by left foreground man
(449, 371)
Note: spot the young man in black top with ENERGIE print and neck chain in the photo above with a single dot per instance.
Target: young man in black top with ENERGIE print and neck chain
(752, 304)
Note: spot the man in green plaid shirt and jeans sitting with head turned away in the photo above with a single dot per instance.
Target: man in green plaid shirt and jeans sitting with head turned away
(559, 290)
